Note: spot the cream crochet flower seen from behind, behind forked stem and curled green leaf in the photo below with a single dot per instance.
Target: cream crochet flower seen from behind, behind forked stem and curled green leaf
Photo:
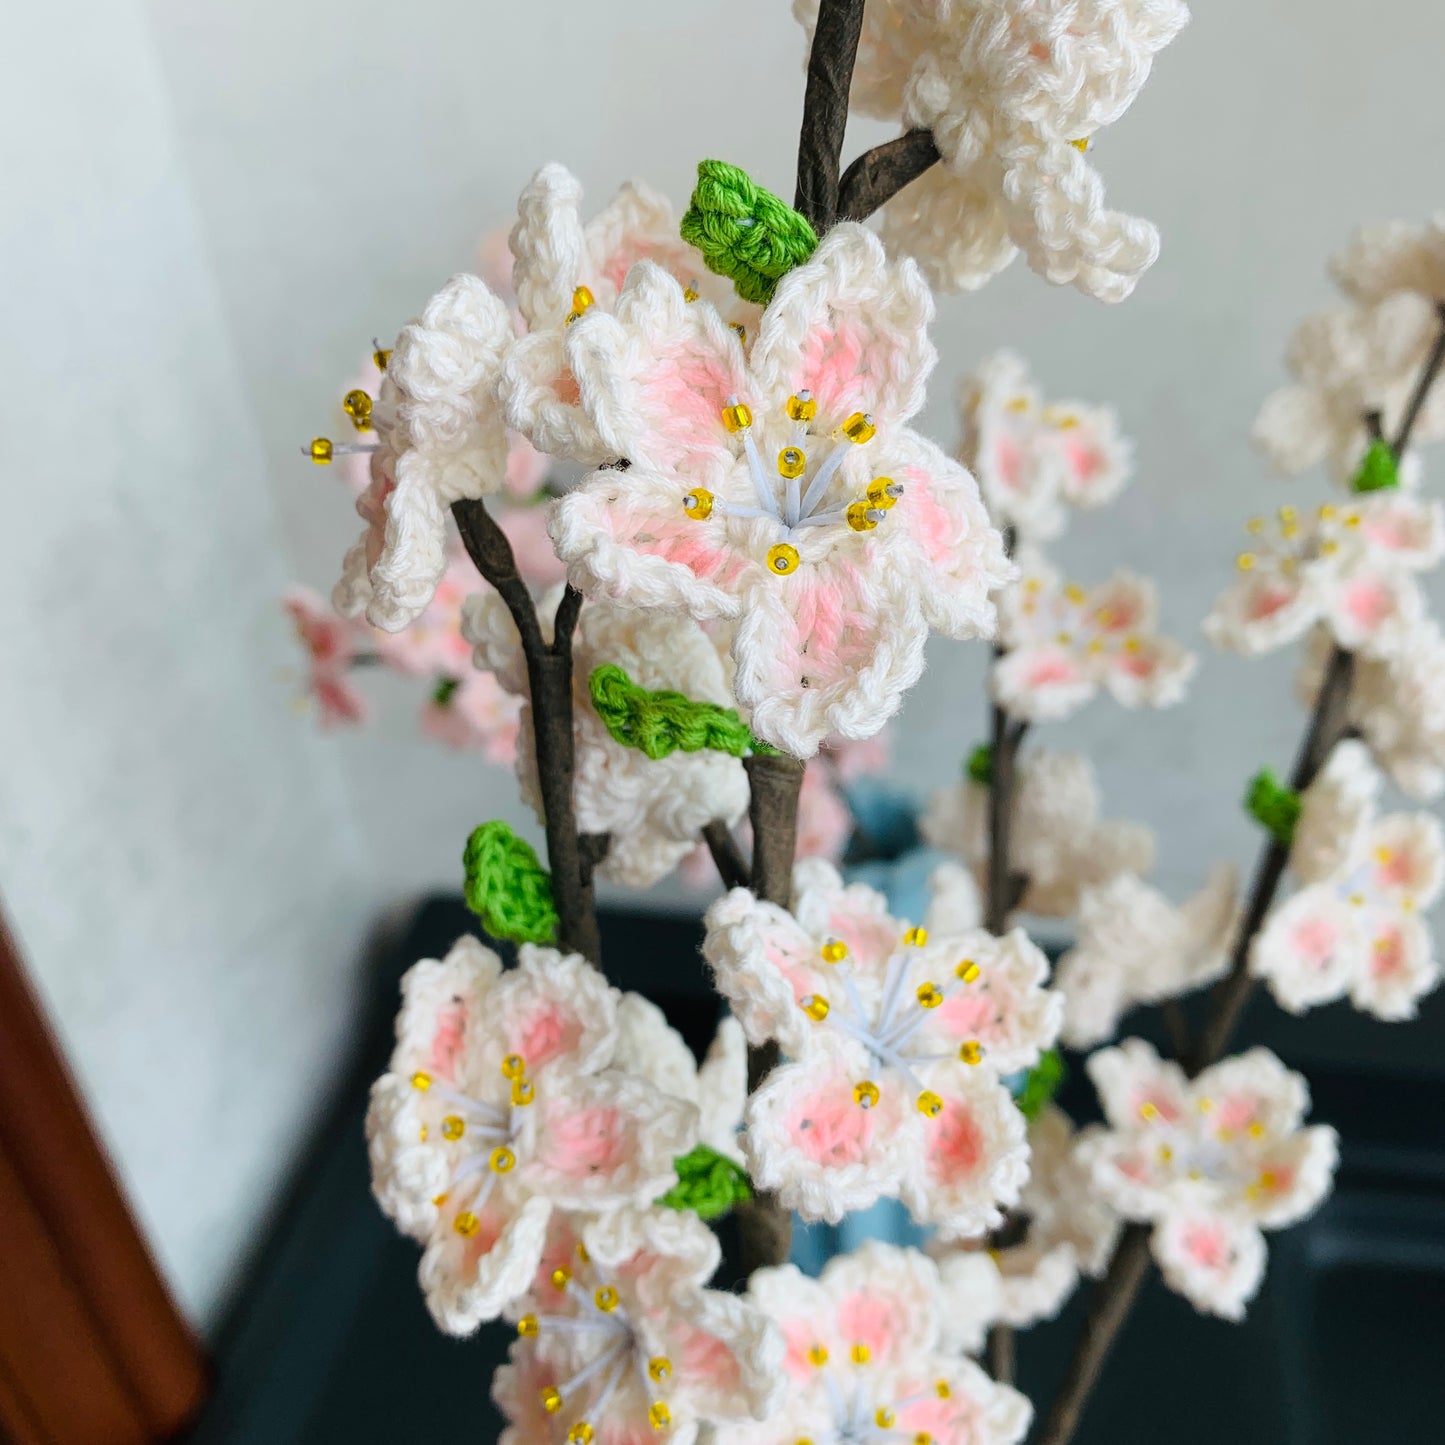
(652, 808)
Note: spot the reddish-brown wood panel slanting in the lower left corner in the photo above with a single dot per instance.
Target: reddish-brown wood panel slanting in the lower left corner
(98, 1259)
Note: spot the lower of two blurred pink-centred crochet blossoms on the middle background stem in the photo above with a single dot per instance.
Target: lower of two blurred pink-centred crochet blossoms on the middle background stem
(1064, 642)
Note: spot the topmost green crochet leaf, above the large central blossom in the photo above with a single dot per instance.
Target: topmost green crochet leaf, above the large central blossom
(746, 233)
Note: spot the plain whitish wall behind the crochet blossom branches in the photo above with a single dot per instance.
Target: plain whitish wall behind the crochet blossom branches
(207, 212)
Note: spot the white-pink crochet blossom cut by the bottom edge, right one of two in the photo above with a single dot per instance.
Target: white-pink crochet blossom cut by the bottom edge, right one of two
(871, 1356)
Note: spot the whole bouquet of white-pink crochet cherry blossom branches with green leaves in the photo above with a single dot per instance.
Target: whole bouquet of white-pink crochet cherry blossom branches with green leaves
(648, 511)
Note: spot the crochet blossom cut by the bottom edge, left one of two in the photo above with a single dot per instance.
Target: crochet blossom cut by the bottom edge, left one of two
(619, 1340)
